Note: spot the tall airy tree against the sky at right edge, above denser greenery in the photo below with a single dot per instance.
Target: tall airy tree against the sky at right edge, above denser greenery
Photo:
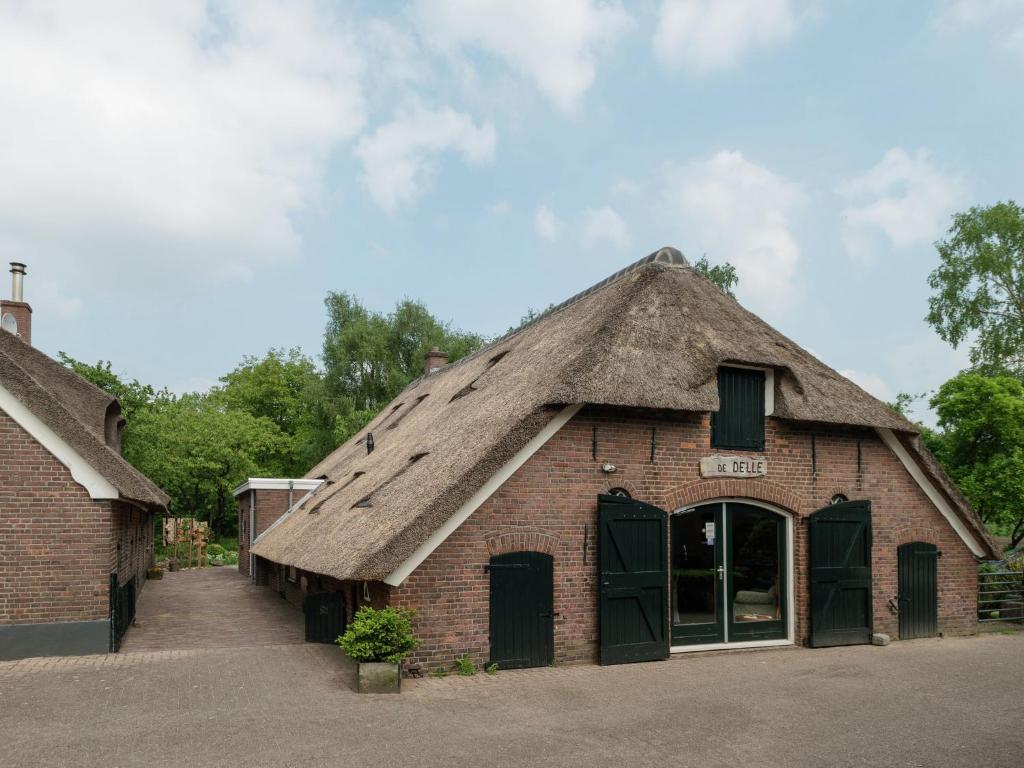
(979, 287)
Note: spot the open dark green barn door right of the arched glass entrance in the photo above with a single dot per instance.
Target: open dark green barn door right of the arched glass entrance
(841, 575)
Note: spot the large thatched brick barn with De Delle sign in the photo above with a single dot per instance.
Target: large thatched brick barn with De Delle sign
(647, 468)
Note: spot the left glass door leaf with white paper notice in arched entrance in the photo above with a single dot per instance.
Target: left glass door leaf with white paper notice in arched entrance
(698, 577)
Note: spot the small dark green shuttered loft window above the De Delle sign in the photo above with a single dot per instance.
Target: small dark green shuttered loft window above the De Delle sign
(740, 423)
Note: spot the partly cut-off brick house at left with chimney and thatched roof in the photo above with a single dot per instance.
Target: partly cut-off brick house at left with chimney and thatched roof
(76, 520)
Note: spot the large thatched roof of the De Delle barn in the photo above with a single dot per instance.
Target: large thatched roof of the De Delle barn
(651, 336)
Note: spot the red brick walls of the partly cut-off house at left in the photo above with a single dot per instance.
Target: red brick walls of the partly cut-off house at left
(58, 546)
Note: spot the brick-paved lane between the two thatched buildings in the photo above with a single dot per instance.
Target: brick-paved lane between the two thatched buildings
(208, 609)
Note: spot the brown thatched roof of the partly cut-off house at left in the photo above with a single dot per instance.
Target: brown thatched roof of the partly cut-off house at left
(76, 411)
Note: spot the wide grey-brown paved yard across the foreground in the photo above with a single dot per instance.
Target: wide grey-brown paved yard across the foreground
(926, 703)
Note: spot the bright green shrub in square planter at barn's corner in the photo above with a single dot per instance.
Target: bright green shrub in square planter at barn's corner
(378, 642)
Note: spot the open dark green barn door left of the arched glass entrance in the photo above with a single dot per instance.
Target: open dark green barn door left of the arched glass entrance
(634, 581)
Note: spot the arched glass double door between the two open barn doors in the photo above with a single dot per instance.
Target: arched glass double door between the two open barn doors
(729, 575)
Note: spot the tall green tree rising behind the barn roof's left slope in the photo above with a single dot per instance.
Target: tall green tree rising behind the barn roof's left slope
(369, 357)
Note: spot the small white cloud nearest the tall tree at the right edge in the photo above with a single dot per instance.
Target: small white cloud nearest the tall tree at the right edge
(906, 197)
